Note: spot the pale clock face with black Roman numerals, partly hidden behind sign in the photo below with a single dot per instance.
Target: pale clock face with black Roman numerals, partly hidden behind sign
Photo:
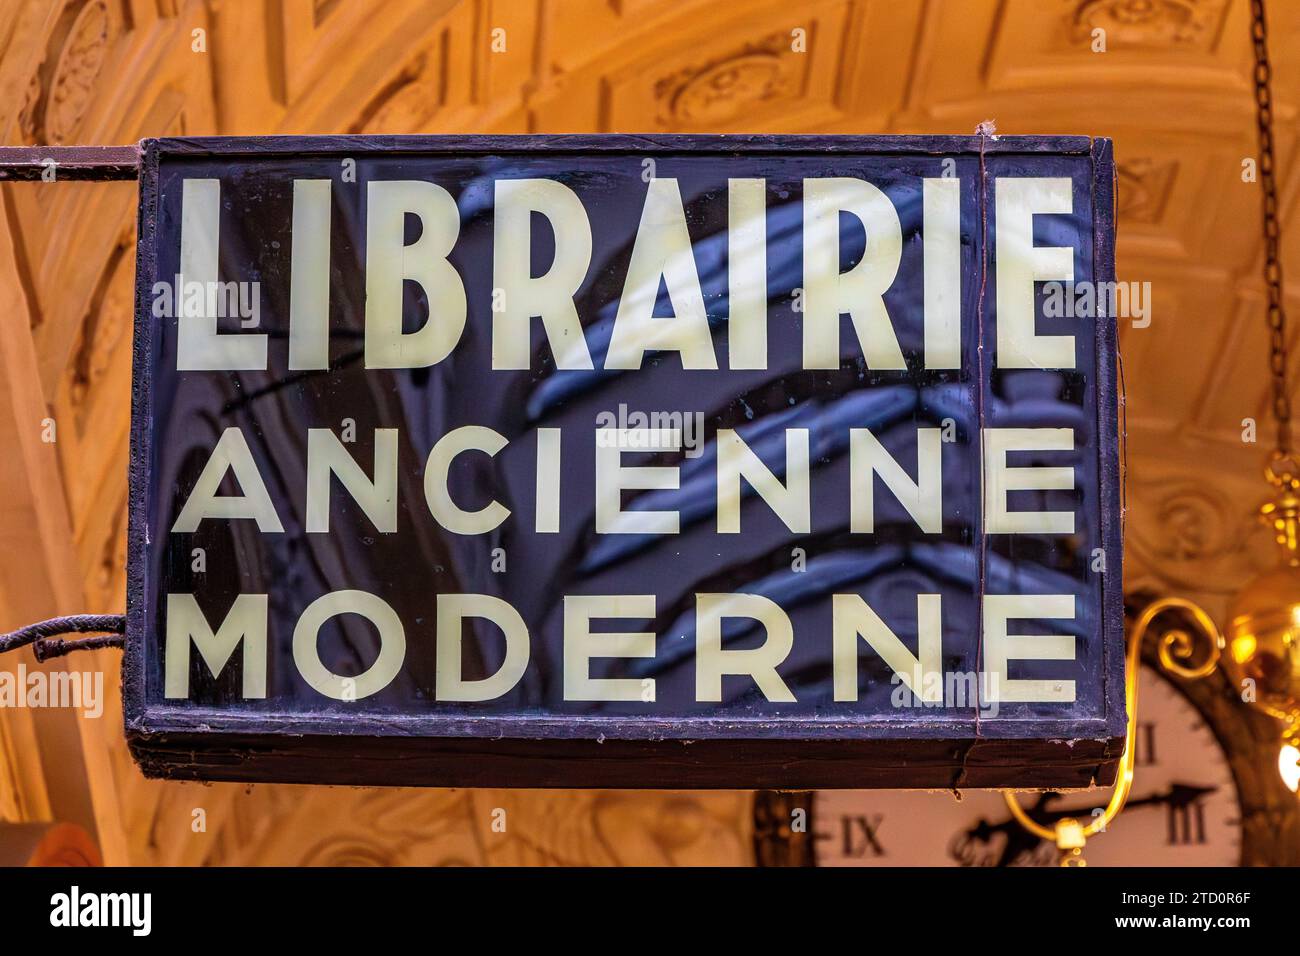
(1184, 810)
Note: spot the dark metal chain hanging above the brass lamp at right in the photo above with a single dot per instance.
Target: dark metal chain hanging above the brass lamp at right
(1272, 231)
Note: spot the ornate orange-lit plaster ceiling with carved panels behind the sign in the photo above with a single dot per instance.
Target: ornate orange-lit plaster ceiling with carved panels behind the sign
(1173, 89)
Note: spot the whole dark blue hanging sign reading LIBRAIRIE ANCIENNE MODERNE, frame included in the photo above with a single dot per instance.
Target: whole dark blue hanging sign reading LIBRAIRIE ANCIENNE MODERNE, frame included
(623, 461)
